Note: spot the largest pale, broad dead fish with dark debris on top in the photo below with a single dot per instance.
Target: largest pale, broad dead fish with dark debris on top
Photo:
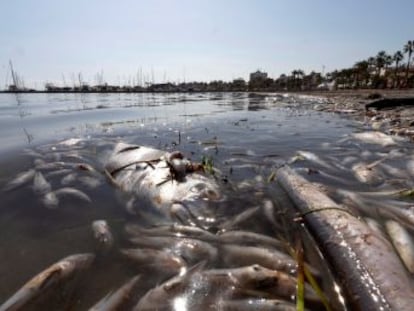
(167, 181)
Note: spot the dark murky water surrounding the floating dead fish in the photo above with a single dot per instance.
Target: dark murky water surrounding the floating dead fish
(246, 136)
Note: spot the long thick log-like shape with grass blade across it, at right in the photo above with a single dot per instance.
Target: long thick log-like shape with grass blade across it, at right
(365, 264)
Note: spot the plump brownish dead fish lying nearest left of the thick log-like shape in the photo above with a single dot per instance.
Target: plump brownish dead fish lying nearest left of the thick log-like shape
(248, 255)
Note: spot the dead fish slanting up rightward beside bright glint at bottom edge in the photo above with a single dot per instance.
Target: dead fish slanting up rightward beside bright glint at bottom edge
(164, 296)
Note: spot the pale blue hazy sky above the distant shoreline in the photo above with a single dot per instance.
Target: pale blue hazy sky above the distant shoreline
(130, 41)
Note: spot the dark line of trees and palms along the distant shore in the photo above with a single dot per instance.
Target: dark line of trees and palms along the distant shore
(376, 72)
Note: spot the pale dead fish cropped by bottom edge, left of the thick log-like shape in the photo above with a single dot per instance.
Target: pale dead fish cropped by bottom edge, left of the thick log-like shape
(255, 304)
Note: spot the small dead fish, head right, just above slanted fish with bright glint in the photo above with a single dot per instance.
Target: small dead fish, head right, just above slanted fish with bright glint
(161, 260)
